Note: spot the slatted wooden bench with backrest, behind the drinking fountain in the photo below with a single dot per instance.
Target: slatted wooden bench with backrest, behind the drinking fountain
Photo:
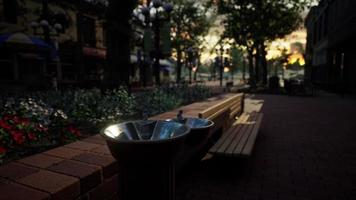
(239, 129)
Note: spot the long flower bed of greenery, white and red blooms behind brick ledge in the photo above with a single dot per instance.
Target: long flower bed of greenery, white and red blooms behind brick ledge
(37, 121)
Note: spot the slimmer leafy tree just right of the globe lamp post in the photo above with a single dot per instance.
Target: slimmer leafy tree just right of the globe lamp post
(189, 22)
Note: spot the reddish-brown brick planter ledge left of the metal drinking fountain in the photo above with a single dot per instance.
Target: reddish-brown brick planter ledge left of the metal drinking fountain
(80, 170)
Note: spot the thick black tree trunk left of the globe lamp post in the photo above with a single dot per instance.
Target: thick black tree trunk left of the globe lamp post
(118, 43)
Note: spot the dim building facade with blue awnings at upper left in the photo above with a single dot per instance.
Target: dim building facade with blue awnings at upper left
(76, 53)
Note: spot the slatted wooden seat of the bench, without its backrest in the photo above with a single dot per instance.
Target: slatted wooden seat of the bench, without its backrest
(240, 138)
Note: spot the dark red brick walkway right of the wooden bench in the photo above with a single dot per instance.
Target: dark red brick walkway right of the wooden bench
(306, 149)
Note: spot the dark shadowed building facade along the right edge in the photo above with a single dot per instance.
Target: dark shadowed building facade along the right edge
(331, 42)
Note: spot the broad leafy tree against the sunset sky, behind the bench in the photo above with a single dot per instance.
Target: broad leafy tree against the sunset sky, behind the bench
(254, 23)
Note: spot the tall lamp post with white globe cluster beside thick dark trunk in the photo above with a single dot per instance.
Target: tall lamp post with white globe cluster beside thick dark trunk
(153, 15)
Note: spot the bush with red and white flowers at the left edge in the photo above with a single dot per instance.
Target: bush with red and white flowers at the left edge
(26, 125)
